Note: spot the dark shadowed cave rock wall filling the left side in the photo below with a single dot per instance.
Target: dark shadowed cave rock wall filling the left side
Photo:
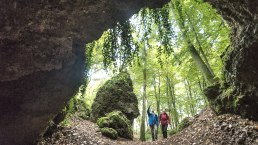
(42, 57)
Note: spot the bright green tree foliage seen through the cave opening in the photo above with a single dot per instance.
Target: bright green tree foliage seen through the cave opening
(168, 56)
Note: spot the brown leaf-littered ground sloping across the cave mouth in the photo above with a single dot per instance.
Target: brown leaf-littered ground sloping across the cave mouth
(207, 128)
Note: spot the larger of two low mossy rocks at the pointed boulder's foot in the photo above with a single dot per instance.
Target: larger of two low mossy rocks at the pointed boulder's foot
(118, 121)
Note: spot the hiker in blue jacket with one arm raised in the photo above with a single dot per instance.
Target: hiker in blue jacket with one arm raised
(153, 122)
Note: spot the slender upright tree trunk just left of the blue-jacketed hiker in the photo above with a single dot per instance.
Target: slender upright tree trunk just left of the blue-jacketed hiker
(142, 130)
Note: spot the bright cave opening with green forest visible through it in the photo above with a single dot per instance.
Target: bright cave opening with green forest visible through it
(172, 54)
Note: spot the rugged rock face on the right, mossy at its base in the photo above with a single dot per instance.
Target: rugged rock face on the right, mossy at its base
(239, 92)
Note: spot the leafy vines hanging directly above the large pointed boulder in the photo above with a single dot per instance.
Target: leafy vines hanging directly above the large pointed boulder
(118, 48)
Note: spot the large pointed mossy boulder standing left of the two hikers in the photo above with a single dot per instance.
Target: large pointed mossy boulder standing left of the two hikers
(116, 94)
